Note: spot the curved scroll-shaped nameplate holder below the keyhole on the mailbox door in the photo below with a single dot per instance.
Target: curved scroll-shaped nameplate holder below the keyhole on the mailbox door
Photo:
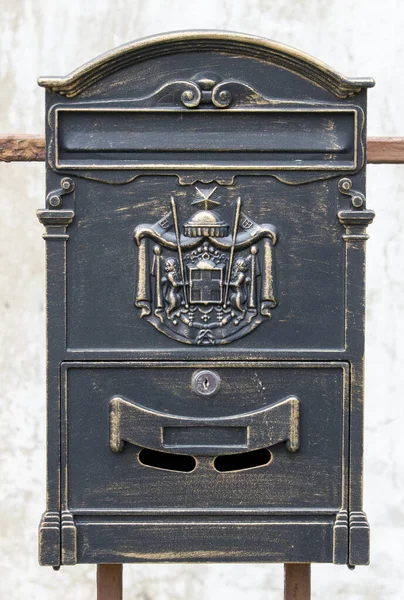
(130, 422)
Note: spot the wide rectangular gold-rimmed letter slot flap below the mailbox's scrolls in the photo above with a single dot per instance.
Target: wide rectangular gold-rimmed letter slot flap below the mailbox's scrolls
(166, 139)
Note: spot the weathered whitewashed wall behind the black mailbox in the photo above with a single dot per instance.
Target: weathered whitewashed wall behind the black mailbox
(52, 37)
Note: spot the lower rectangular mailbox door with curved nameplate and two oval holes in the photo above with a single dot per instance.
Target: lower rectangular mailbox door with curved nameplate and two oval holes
(273, 437)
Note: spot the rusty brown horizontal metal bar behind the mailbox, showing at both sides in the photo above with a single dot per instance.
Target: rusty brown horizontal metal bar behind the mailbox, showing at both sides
(25, 147)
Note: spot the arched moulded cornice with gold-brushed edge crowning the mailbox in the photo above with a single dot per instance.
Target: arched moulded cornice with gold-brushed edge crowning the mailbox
(181, 42)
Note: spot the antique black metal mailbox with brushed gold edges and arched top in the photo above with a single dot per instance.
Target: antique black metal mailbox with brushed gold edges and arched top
(205, 232)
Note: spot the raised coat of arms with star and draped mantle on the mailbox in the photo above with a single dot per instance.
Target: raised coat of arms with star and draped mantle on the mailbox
(206, 282)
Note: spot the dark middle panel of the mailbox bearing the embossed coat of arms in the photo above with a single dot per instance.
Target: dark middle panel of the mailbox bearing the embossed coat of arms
(306, 300)
